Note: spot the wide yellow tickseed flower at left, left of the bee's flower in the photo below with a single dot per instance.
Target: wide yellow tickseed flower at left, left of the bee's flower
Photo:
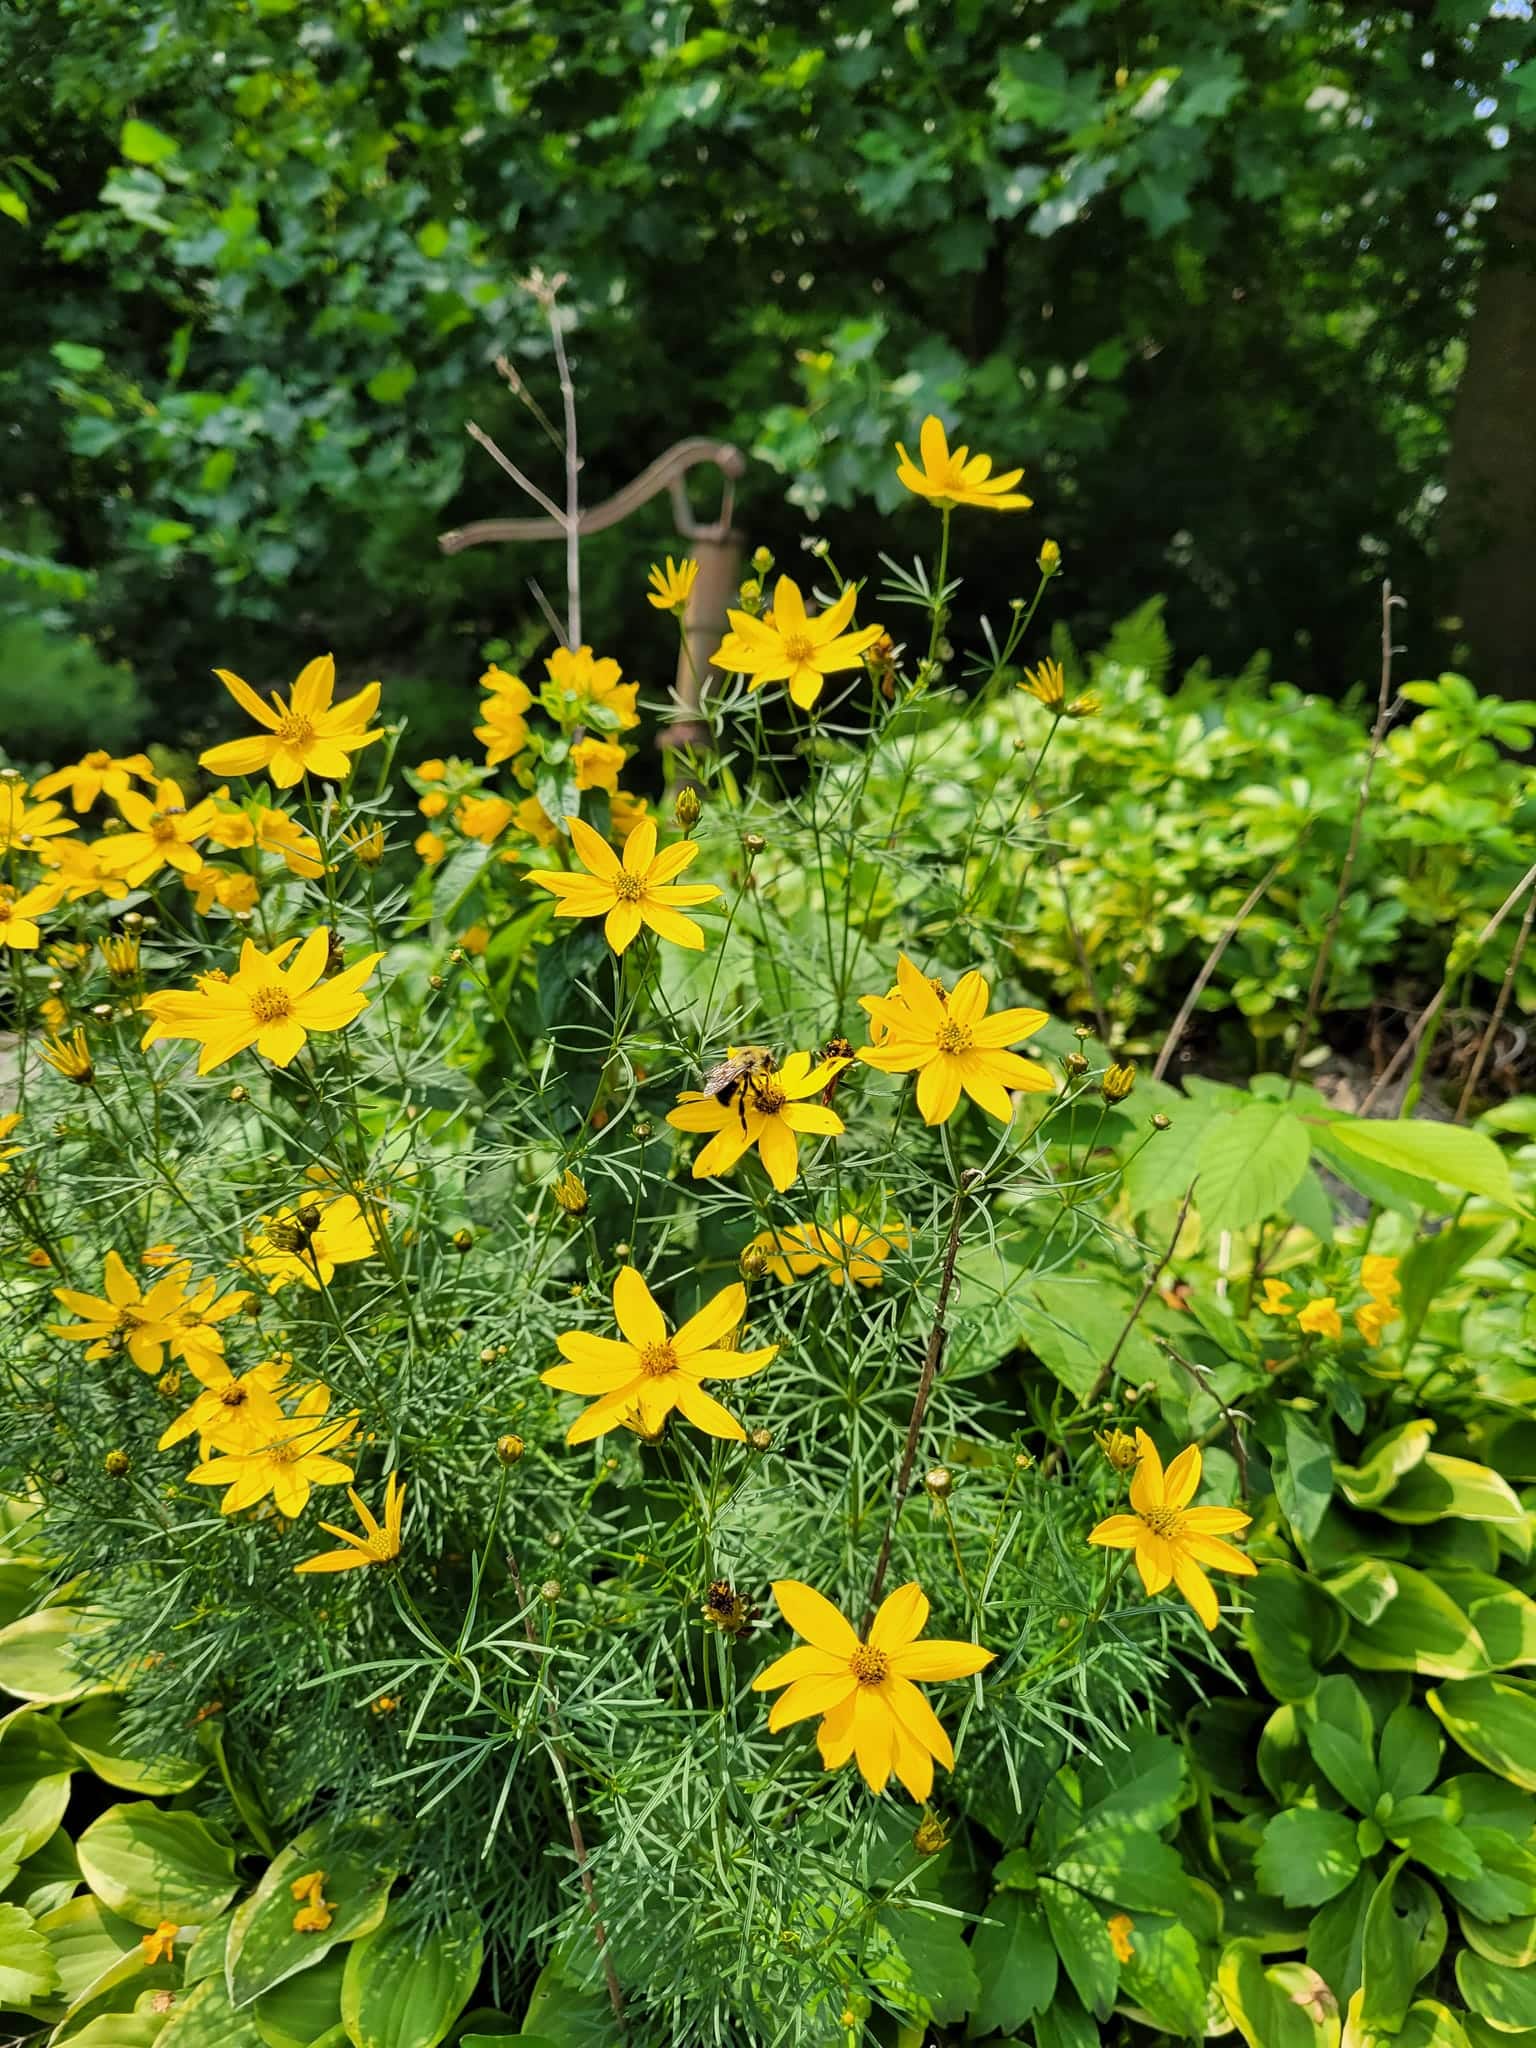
(265, 1005)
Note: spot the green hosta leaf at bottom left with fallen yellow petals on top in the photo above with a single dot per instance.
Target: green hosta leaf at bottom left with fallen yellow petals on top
(265, 1949)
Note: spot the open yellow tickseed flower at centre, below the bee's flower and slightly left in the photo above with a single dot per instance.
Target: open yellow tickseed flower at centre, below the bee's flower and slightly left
(650, 1375)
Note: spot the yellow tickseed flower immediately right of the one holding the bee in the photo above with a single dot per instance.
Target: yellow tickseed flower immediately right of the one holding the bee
(953, 1046)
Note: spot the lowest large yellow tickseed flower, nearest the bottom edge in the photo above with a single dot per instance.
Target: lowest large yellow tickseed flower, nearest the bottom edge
(865, 1693)
